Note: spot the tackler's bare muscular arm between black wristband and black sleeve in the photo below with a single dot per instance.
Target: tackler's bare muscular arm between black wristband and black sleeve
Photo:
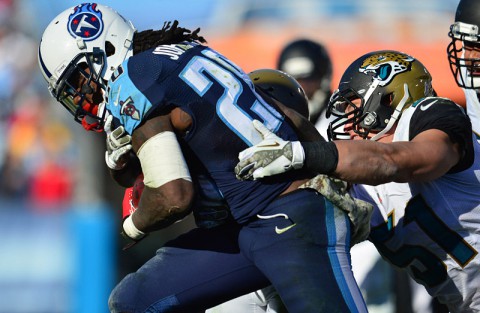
(428, 156)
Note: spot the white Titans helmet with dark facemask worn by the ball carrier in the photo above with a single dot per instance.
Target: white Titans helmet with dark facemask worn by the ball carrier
(88, 36)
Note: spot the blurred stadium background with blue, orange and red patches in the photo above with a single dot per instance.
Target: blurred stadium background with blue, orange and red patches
(60, 249)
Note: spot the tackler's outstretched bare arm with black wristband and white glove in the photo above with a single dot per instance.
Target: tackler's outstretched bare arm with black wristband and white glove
(427, 156)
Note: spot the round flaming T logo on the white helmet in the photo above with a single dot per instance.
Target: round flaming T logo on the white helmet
(85, 22)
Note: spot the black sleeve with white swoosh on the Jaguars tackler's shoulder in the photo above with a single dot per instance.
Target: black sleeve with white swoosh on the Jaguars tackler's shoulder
(443, 114)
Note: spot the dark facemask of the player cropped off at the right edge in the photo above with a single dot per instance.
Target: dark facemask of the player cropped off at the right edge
(465, 70)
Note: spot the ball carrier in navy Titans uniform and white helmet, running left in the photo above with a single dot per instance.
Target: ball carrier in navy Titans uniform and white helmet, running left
(184, 103)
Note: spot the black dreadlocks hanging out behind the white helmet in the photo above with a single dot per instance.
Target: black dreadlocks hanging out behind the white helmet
(169, 34)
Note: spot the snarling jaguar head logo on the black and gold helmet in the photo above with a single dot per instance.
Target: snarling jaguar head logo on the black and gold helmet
(385, 66)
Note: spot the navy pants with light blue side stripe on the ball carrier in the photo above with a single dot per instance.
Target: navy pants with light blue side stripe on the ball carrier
(308, 263)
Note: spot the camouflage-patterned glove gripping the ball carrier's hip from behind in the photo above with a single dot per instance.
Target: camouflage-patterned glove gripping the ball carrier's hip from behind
(358, 211)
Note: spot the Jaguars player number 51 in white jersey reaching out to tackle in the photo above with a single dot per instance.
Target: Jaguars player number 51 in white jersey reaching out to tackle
(411, 154)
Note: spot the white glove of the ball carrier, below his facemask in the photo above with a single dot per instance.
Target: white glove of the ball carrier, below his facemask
(118, 145)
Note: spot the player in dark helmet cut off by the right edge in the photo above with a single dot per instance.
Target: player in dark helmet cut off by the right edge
(464, 56)
